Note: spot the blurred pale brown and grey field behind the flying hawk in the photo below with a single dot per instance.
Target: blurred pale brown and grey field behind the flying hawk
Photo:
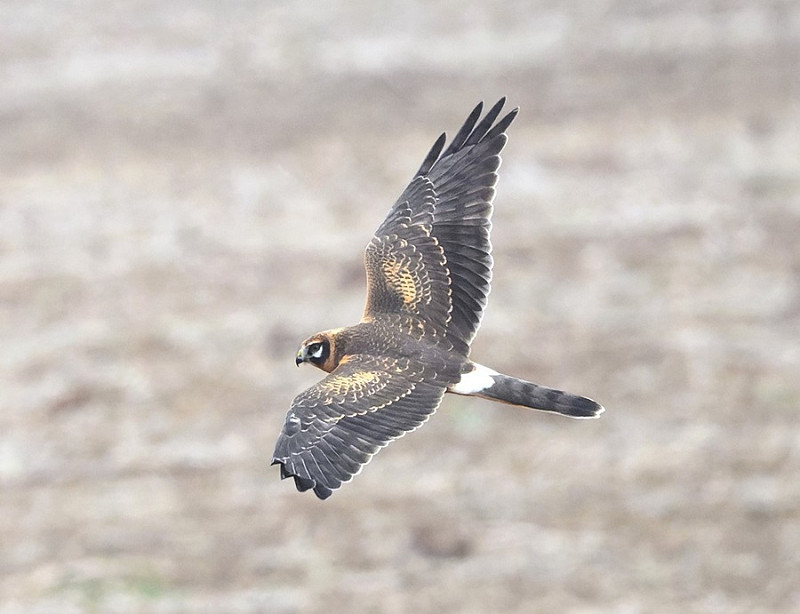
(185, 192)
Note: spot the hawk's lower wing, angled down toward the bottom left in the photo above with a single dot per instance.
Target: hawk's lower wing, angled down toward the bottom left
(337, 425)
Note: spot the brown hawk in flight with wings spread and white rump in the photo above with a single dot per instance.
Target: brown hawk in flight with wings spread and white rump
(428, 273)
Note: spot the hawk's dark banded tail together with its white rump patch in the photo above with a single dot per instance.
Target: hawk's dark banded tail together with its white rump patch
(488, 384)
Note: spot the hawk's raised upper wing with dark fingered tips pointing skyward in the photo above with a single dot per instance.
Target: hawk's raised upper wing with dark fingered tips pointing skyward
(443, 217)
